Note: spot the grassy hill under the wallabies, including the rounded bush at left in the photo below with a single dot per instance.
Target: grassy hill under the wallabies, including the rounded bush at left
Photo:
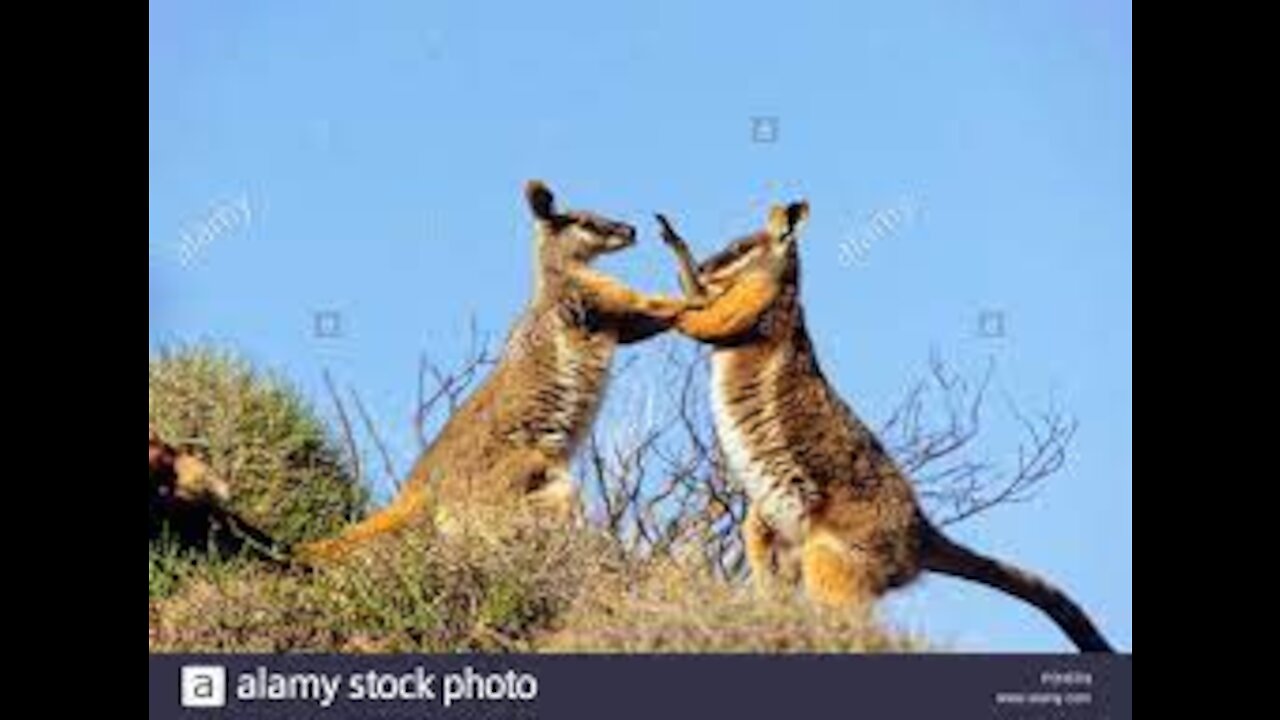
(529, 587)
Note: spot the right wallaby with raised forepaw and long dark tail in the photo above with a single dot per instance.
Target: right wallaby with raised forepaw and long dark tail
(829, 508)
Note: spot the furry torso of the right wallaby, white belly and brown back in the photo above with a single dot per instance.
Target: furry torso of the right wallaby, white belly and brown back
(802, 455)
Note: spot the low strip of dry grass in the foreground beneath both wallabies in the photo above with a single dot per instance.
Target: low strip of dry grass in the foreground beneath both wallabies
(536, 589)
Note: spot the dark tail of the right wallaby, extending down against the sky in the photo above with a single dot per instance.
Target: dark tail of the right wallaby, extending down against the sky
(943, 555)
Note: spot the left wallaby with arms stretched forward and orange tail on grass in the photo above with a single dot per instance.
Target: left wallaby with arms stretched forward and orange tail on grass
(514, 439)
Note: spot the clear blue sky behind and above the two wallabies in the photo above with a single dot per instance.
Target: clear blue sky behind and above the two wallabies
(380, 149)
